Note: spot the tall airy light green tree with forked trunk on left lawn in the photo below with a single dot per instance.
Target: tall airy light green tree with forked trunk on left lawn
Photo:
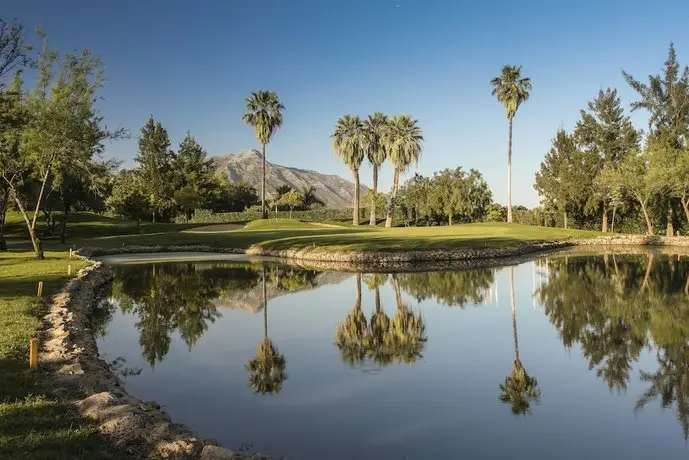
(64, 130)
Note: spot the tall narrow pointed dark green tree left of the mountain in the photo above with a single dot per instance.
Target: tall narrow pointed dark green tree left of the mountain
(155, 161)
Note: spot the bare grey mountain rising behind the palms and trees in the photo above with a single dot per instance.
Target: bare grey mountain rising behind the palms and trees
(335, 191)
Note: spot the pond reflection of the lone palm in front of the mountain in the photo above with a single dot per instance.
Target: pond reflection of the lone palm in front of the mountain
(267, 369)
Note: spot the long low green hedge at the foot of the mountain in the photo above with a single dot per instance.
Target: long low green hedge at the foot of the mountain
(313, 215)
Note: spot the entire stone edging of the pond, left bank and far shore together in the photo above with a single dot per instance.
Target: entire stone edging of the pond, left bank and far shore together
(71, 360)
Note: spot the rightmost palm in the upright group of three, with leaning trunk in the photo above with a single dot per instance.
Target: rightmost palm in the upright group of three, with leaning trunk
(403, 139)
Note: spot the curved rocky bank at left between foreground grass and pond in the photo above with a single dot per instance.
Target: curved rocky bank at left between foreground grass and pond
(70, 357)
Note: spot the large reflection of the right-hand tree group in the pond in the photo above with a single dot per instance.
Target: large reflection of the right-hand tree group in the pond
(614, 307)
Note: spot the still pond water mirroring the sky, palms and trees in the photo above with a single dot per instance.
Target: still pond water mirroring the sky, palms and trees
(564, 357)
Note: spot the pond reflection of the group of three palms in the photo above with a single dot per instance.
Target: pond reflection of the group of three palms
(381, 339)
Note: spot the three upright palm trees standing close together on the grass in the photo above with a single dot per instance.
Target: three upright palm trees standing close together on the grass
(378, 138)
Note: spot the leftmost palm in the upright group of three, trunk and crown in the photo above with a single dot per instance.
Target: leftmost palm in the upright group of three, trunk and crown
(349, 139)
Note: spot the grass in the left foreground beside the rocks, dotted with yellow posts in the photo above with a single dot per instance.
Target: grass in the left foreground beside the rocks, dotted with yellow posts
(33, 425)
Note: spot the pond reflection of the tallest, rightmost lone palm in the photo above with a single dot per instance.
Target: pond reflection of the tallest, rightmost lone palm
(519, 388)
